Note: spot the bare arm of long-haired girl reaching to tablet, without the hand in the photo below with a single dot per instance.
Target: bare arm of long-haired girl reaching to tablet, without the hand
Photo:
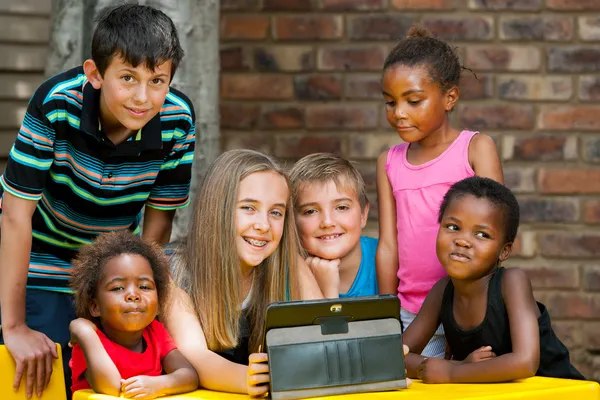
(214, 371)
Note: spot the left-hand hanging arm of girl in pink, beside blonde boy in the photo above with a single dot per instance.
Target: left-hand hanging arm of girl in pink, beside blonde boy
(387, 249)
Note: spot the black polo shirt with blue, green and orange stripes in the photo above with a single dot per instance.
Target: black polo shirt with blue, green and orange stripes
(84, 184)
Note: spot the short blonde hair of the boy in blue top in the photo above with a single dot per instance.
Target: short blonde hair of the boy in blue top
(326, 167)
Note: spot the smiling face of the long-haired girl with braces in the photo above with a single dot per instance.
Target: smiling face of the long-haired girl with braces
(260, 217)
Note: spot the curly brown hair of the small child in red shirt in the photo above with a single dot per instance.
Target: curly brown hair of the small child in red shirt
(91, 259)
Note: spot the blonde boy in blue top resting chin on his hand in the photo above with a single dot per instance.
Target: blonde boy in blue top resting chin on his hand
(331, 210)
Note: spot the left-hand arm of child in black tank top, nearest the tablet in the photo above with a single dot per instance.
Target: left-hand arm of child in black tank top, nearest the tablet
(422, 329)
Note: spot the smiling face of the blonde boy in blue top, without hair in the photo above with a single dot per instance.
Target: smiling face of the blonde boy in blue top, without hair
(330, 219)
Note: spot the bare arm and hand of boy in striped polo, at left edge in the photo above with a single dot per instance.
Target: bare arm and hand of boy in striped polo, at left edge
(32, 350)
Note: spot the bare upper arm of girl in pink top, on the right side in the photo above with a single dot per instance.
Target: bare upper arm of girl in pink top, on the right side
(484, 158)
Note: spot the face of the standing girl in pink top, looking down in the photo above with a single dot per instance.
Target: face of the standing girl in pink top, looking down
(415, 106)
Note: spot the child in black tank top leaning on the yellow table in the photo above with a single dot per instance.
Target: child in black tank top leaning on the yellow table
(495, 329)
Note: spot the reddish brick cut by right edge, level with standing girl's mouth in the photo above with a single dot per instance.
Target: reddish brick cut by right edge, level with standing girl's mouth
(575, 117)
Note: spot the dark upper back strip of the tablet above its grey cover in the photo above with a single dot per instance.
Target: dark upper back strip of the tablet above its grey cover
(315, 312)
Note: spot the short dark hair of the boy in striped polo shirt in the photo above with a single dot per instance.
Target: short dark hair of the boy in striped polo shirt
(138, 34)
